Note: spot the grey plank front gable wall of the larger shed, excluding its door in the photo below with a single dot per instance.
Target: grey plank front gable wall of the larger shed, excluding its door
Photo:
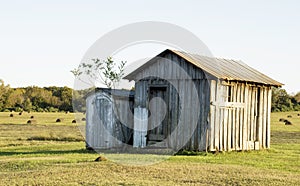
(175, 72)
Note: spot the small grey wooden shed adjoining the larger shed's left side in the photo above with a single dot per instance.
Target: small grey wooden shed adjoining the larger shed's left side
(109, 118)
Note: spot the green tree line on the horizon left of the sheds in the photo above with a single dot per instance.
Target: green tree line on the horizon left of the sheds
(33, 98)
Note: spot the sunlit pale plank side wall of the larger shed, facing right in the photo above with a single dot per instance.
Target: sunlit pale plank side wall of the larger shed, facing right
(239, 116)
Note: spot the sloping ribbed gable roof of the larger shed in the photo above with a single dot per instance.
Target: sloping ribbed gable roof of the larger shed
(221, 68)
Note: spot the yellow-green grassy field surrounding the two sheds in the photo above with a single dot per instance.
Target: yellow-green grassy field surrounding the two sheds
(50, 153)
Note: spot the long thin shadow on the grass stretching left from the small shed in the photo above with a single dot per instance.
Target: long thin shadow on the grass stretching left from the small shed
(48, 152)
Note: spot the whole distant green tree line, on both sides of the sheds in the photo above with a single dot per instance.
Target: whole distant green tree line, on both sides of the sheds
(53, 99)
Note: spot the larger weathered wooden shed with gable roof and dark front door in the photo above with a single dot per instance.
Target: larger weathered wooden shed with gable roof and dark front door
(200, 103)
